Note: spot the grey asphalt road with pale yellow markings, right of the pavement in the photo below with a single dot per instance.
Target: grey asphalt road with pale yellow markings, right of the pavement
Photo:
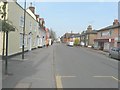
(78, 67)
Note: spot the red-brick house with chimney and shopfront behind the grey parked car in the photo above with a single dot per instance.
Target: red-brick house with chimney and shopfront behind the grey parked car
(108, 37)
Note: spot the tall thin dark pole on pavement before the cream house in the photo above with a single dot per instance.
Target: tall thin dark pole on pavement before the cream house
(23, 45)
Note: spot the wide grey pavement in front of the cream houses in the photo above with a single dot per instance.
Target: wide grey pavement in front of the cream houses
(35, 71)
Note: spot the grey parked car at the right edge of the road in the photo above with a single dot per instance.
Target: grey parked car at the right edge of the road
(114, 53)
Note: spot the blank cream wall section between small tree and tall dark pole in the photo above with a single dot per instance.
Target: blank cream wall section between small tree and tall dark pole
(14, 14)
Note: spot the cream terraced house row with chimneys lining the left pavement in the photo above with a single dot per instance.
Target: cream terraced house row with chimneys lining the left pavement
(34, 33)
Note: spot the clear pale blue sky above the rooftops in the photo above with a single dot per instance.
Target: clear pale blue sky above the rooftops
(65, 17)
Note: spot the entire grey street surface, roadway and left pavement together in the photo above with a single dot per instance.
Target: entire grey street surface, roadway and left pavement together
(61, 66)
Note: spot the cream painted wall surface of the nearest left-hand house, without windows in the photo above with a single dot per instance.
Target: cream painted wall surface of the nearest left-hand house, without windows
(14, 14)
